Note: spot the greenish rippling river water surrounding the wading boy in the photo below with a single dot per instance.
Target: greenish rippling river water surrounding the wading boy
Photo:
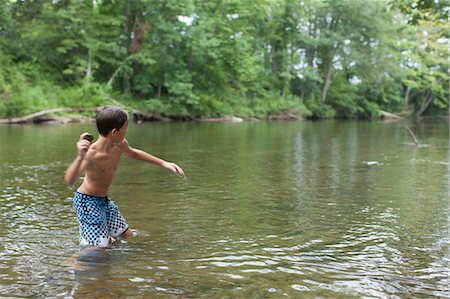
(268, 210)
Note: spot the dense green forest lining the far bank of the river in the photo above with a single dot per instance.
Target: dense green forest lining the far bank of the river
(205, 58)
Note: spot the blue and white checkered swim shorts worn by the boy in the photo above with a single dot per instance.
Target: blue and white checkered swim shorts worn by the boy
(99, 218)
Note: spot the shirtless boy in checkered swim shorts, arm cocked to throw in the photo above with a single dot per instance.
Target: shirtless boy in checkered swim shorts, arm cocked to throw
(99, 217)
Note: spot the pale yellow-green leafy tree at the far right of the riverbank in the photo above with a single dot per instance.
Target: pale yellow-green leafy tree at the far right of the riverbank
(425, 55)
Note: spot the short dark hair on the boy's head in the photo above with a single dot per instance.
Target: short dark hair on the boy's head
(109, 118)
